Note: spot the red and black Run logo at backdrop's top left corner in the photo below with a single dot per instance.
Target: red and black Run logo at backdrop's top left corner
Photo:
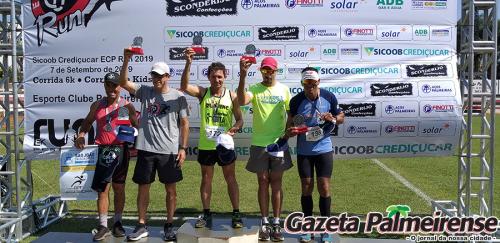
(56, 17)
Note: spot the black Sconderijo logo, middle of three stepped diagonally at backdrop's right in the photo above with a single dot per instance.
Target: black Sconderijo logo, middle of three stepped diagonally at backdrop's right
(401, 89)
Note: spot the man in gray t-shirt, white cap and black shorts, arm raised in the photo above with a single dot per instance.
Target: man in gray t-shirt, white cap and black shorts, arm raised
(161, 143)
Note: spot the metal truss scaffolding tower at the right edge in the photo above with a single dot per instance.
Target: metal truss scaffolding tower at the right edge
(476, 155)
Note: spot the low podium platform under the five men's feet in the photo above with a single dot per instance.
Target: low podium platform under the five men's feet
(220, 232)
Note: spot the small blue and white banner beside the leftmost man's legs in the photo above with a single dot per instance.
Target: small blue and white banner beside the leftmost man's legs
(77, 172)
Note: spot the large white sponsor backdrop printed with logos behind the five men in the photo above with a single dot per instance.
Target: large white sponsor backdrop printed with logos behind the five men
(65, 63)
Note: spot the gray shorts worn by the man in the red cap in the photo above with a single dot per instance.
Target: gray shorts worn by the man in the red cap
(261, 161)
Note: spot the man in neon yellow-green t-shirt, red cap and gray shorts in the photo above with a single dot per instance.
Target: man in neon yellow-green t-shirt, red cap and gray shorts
(270, 101)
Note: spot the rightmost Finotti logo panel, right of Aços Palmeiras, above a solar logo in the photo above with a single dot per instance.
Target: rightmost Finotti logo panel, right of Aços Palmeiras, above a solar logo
(434, 108)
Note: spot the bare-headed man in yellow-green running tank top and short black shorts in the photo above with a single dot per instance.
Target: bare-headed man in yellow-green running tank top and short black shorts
(218, 105)
